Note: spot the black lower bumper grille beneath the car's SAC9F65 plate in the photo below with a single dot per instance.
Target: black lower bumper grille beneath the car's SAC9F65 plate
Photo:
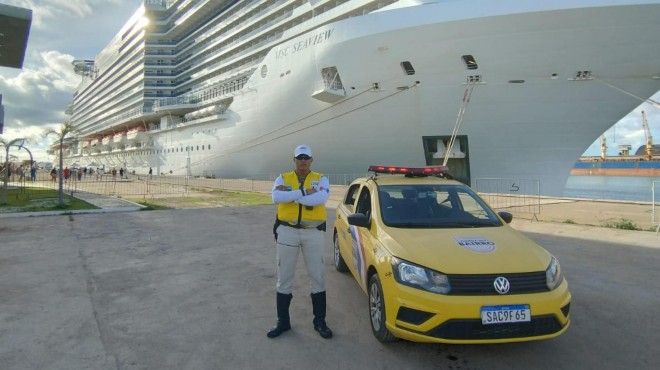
(474, 329)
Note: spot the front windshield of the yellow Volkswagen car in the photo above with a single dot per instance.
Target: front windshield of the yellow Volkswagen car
(434, 206)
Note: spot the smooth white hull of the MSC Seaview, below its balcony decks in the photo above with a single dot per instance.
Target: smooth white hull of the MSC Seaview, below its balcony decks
(528, 116)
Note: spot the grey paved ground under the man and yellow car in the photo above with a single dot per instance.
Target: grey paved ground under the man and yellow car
(194, 289)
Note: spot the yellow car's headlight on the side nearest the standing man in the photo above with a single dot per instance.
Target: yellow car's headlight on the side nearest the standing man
(419, 277)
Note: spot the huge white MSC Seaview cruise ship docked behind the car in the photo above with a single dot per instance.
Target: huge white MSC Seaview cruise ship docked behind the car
(511, 89)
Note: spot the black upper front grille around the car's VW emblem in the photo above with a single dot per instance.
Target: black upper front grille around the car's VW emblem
(521, 283)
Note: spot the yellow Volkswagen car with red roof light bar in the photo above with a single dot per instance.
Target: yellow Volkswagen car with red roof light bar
(439, 265)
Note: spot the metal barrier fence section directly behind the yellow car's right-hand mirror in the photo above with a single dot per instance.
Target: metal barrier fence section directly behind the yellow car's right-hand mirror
(511, 195)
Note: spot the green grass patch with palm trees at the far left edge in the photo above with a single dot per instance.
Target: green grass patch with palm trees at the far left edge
(39, 200)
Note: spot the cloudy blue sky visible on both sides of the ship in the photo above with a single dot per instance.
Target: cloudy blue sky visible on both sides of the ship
(36, 96)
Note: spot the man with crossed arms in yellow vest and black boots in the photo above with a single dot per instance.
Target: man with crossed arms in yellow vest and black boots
(300, 196)
